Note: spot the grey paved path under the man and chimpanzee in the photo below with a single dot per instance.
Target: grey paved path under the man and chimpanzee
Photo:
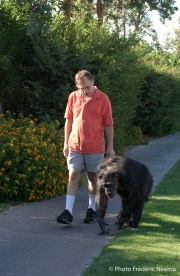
(33, 244)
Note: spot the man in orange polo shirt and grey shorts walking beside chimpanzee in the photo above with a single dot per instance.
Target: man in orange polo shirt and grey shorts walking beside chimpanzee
(88, 114)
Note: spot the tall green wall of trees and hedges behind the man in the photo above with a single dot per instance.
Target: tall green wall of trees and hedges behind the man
(44, 43)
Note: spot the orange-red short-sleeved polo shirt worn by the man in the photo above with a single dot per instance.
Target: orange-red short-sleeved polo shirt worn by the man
(89, 119)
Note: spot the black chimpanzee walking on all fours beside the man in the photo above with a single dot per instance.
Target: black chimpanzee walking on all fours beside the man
(132, 181)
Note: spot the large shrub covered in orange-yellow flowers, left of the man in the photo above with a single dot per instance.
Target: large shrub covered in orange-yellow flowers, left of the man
(32, 165)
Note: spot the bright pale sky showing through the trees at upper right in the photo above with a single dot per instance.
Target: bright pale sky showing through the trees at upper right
(168, 27)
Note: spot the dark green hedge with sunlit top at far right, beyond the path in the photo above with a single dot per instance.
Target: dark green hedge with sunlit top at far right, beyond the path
(159, 98)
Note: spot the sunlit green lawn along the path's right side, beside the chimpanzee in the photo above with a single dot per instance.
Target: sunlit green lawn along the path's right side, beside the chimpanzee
(155, 248)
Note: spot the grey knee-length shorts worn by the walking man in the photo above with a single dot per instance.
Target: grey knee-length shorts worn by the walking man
(76, 161)
